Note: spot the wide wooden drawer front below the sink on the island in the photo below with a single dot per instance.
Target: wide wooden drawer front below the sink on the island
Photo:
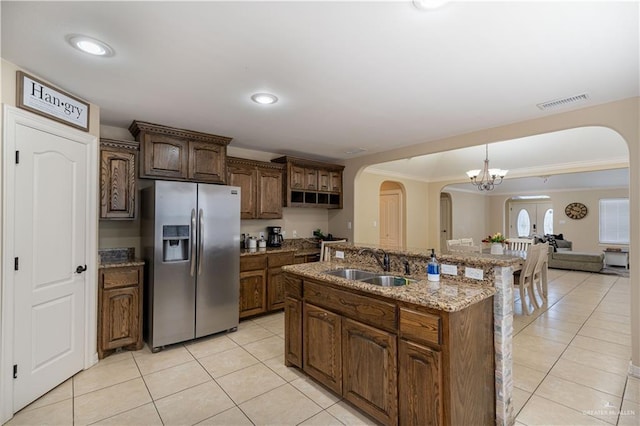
(364, 309)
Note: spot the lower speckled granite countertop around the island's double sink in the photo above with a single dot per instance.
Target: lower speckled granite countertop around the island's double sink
(445, 295)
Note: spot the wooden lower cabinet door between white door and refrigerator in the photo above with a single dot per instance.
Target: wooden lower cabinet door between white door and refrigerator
(120, 317)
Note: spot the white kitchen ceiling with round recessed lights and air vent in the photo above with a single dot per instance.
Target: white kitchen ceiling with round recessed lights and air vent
(373, 75)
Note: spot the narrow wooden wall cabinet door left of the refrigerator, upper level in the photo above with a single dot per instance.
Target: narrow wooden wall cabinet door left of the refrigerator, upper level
(117, 184)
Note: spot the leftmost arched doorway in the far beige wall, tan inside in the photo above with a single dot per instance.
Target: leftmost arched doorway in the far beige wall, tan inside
(392, 215)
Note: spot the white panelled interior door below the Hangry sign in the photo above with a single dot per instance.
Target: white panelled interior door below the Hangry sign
(51, 202)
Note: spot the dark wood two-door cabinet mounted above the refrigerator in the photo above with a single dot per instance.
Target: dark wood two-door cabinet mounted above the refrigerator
(177, 154)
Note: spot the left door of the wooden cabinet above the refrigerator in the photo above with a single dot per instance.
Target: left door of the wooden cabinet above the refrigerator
(164, 157)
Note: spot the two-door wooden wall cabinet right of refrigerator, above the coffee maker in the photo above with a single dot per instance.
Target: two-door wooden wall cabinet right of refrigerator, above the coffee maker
(261, 187)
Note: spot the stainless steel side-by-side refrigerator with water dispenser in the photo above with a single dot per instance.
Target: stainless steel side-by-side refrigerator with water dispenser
(191, 246)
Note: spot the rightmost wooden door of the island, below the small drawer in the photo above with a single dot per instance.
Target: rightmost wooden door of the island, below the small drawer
(420, 385)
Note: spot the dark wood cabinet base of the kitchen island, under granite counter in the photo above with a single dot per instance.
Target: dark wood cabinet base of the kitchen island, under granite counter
(397, 362)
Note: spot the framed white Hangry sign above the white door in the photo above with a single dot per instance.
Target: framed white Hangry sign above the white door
(40, 98)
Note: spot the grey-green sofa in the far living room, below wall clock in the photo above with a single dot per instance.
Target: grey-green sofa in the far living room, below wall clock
(562, 256)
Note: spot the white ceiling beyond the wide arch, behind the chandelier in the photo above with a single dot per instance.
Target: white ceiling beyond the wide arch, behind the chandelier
(535, 163)
